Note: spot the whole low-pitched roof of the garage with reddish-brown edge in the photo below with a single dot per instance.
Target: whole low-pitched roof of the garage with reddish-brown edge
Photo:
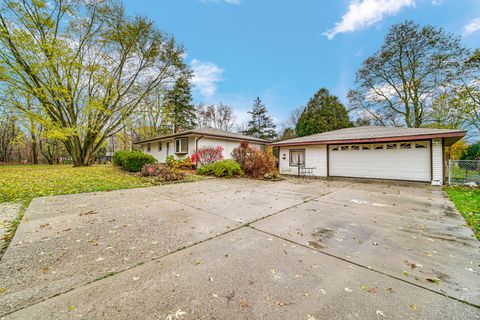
(374, 134)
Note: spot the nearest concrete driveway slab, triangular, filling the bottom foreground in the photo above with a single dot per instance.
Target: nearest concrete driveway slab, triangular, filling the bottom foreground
(246, 274)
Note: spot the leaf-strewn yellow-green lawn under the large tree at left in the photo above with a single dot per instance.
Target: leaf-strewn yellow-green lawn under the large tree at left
(20, 182)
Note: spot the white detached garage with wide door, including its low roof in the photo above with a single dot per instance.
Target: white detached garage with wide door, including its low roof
(414, 154)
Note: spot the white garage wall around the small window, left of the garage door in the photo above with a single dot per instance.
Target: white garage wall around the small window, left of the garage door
(315, 157)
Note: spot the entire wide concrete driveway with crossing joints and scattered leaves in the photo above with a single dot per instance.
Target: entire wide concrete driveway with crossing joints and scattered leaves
(243, 249)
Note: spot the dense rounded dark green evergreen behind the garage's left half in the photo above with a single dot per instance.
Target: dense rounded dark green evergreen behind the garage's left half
(324, 112)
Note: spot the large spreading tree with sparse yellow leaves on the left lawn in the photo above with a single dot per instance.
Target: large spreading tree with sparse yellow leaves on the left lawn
(86, 63)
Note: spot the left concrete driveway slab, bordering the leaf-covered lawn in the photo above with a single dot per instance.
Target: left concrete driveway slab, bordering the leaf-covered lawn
(66, 241)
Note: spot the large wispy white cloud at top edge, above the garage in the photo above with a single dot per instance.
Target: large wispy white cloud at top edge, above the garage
(363, 13)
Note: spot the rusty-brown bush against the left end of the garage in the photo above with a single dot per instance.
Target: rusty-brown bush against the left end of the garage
(256, 163)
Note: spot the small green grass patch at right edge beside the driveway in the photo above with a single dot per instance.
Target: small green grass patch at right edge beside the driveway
(467, 201)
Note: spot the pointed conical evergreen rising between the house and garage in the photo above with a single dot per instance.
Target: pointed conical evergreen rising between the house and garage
(261, 126)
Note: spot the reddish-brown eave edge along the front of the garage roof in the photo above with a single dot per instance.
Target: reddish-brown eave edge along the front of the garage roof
(456, 134)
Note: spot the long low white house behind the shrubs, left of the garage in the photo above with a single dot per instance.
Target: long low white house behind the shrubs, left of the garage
(186, 143)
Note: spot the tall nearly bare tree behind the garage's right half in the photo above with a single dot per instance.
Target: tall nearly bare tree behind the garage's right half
(398, 84)
